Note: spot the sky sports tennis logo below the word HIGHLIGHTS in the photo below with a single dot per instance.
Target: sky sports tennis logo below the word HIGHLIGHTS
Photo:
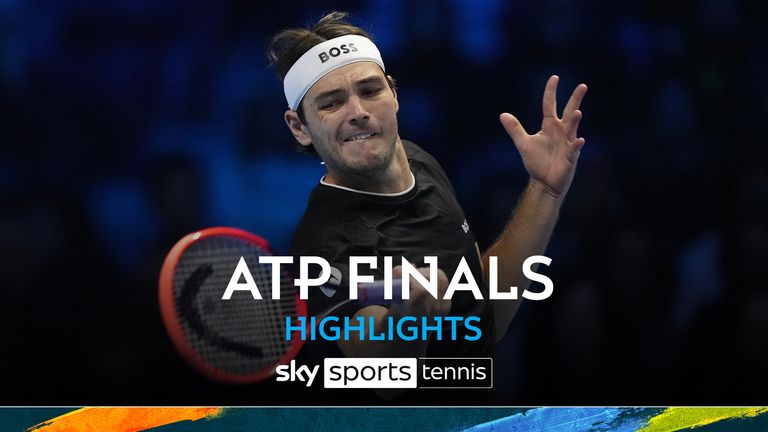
(434, 372)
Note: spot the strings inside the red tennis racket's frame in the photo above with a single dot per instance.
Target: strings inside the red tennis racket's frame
(242, 335)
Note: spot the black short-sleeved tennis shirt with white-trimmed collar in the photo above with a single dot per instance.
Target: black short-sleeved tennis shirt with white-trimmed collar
(427, 220)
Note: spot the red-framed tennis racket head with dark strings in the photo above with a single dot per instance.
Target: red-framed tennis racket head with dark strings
(237, 341)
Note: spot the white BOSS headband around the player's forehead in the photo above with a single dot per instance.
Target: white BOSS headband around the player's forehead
(323, 58)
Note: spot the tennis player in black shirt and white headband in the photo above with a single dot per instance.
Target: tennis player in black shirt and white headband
(383, 196)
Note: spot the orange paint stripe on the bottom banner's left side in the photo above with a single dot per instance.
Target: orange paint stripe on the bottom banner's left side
(121, 419)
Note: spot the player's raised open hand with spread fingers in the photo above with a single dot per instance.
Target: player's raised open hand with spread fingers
(551, 154)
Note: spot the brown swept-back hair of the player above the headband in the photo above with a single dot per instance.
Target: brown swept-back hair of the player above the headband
(287, 46)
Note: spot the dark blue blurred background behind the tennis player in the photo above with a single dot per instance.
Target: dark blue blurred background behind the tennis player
(126, 124)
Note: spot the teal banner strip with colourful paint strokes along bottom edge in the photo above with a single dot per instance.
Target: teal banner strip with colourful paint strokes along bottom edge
(550, 419)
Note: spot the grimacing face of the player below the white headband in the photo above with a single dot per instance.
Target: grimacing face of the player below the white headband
(351, 119)
